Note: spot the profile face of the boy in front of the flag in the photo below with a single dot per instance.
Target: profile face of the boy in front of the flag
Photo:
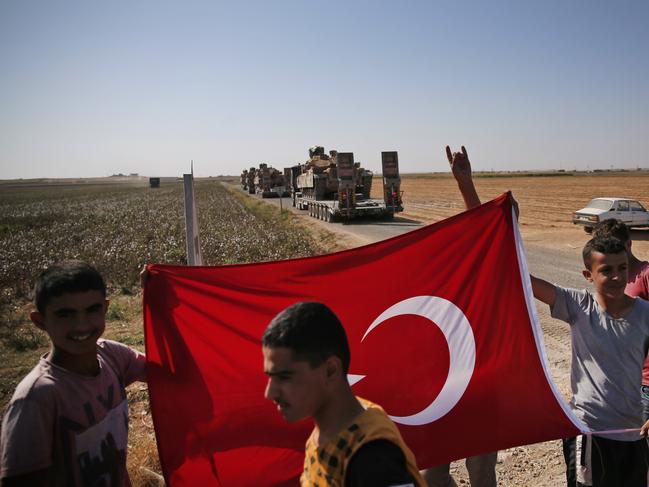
(293, 385)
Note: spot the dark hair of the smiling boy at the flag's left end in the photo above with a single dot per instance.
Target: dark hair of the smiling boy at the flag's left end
(70, 276)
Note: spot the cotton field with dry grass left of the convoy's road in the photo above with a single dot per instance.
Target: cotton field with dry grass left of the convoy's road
(118, 227)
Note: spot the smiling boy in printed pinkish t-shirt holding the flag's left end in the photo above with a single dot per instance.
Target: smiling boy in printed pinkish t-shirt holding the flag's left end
(67, 422)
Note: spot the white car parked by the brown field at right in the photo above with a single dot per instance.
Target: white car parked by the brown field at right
(599, 209)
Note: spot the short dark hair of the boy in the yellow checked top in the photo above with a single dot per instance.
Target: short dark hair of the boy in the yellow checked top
(312, 331)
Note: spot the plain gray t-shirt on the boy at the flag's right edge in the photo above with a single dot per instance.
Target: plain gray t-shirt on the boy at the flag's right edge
(607, 359)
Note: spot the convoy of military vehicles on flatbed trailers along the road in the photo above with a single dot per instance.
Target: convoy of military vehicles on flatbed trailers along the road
(331, 186)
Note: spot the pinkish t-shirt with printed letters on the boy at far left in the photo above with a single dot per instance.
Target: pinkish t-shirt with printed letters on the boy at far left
(75, 424)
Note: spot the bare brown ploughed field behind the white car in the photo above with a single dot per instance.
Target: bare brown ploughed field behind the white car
(546, 203)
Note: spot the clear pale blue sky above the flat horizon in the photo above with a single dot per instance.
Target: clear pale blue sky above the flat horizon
(90, 88)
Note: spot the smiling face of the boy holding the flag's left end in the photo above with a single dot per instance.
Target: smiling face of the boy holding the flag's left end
(74, 321)
